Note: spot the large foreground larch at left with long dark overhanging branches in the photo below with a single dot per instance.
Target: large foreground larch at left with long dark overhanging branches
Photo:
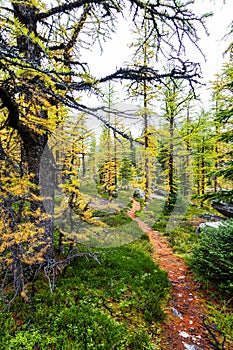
(41, 76)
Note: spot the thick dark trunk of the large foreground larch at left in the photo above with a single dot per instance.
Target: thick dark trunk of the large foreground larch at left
(34, 140)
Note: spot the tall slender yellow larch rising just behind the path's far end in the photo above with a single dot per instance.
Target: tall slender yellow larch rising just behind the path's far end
(144, 56)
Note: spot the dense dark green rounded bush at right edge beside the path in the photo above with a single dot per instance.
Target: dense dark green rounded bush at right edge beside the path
(212, 258)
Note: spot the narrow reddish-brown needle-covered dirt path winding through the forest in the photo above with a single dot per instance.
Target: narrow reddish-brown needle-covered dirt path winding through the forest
(183, 327)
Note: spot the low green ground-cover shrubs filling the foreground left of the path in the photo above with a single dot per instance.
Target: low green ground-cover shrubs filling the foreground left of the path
(114, 304)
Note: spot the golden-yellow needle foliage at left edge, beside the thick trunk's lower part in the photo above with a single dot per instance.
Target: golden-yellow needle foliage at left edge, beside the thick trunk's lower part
(21, 229)
